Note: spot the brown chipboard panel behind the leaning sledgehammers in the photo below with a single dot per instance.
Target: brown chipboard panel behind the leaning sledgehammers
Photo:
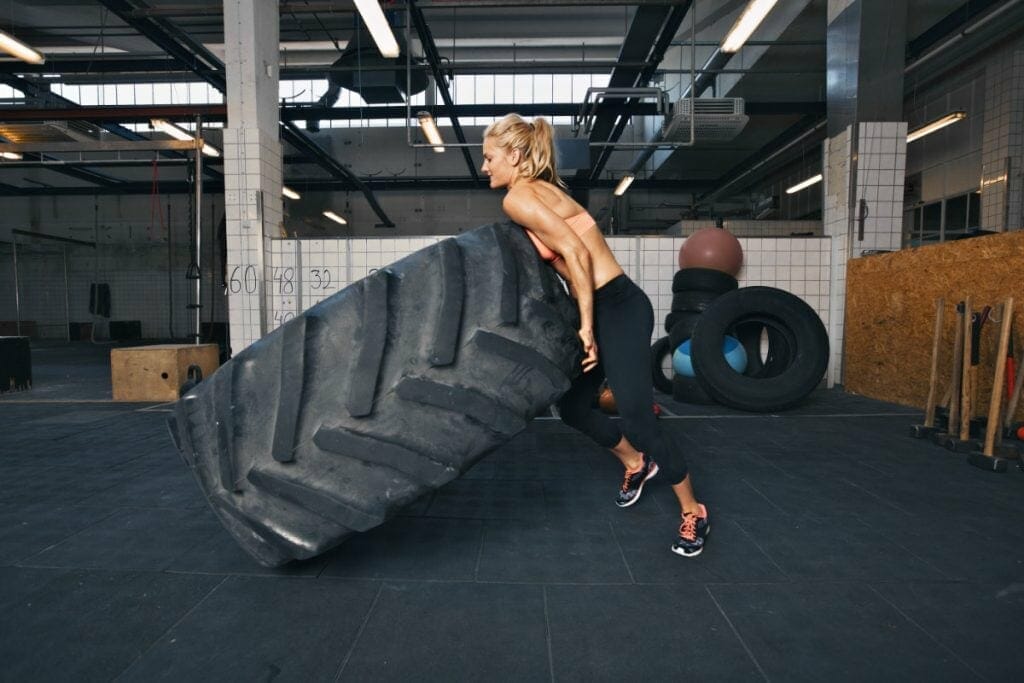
(890, 314)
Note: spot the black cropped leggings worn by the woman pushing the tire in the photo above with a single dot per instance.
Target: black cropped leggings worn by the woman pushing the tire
(624, 321)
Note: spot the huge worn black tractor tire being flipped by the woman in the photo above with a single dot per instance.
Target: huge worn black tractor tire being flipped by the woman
(373, 398)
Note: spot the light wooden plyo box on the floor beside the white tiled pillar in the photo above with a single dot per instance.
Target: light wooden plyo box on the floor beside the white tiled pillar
(157, 373)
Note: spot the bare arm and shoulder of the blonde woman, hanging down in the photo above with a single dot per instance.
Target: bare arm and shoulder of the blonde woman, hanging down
(524, 207)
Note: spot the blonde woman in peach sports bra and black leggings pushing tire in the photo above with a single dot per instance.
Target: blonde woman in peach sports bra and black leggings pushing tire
(616, 317)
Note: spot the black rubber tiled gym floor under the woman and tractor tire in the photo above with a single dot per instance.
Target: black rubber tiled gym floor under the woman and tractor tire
(841, 549)
